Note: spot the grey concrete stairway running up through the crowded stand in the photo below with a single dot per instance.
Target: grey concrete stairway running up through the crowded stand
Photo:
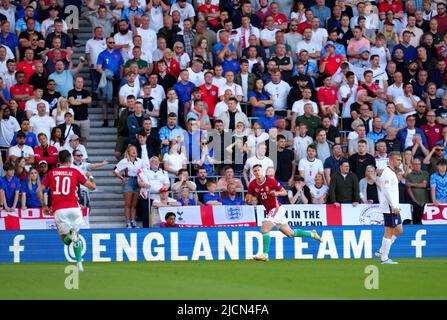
(107, 204)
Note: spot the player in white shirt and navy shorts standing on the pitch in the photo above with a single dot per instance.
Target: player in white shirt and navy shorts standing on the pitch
(389, 205)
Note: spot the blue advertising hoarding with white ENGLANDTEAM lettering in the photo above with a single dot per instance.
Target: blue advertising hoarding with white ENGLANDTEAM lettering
(238, 243)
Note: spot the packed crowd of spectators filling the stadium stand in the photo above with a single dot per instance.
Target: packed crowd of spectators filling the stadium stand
(317, 92)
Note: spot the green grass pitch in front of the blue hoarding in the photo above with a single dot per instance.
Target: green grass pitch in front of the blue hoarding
(281, 279)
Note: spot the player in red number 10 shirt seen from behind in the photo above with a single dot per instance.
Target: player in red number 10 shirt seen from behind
(63, 184)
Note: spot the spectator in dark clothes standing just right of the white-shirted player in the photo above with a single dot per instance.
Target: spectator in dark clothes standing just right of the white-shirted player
(417, 183)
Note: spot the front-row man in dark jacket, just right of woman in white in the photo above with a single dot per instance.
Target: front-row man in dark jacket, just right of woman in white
(344, 187)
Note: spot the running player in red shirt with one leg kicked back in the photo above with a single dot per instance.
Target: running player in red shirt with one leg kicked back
(267, 190)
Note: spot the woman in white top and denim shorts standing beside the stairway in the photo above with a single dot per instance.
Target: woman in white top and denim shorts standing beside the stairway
(127, 170)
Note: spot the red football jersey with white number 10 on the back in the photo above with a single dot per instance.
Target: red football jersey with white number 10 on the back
(63, 184)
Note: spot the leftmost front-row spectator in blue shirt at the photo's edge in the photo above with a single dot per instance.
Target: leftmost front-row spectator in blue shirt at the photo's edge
(9, 188)
